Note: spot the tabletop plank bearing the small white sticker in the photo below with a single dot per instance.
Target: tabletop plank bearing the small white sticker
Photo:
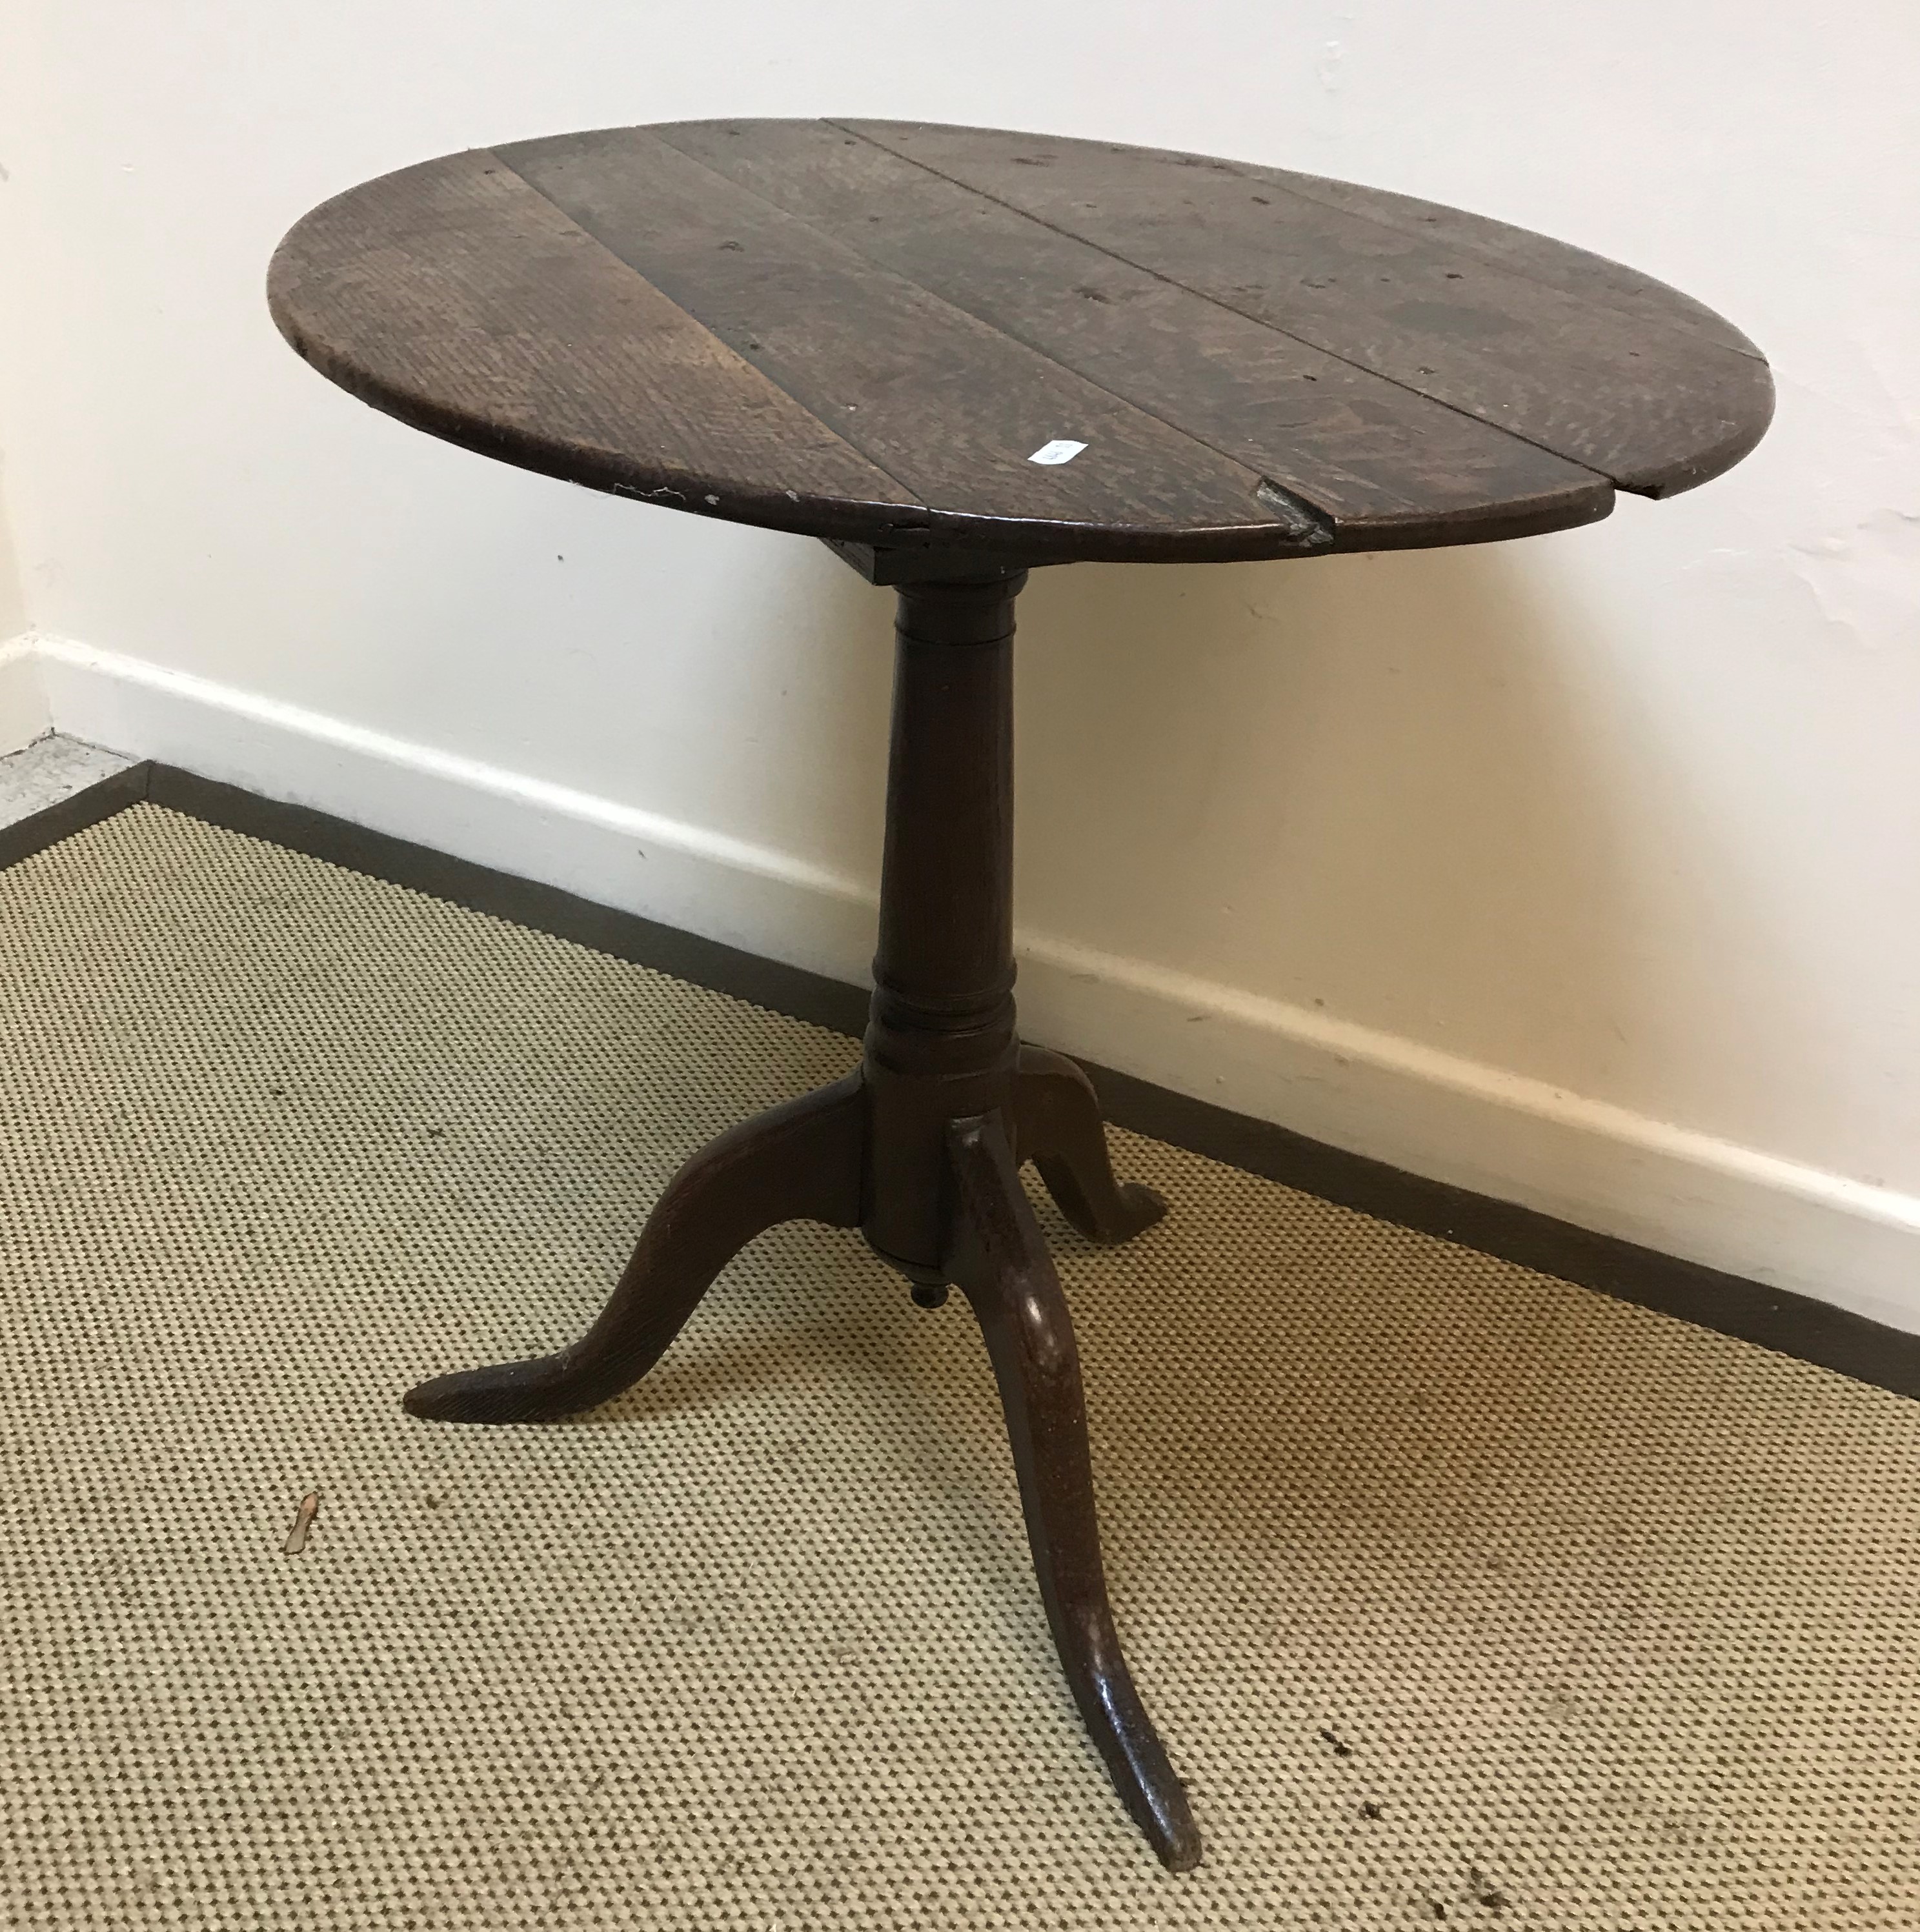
(946, 403)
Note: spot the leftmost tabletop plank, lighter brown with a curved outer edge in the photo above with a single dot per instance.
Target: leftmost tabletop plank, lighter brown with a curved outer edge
(463, 302)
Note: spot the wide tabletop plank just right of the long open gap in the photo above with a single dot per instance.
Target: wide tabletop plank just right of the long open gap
(1654, 409)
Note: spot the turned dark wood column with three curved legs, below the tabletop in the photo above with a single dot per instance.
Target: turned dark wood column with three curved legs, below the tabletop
(922, 1152)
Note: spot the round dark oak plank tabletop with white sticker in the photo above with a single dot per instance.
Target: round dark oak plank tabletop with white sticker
(909, 335)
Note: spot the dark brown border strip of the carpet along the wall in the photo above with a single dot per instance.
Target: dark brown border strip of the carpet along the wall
(1730, 1305)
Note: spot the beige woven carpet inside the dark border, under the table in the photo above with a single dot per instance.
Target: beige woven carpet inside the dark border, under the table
(1459, 1593)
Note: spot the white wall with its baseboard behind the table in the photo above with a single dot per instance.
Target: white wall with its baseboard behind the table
(1585, 870)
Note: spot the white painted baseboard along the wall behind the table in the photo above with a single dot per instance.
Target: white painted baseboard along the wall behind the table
(1396, 1100)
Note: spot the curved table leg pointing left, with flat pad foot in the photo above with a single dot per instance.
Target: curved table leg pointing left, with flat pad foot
(793, 1164)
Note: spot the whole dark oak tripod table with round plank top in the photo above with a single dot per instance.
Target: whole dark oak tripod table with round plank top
(955, 356)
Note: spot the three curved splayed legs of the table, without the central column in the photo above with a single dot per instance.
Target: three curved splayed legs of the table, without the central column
(805, 1162)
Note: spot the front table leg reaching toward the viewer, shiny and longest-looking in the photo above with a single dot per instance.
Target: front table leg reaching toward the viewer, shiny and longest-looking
(1002, 1264)
